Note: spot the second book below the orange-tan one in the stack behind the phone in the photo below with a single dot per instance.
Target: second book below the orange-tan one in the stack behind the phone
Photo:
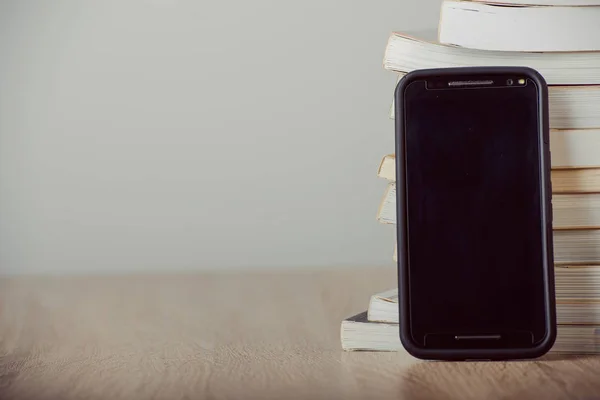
(571, 247)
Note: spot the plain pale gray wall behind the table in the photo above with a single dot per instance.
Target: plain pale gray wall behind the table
(184, 135)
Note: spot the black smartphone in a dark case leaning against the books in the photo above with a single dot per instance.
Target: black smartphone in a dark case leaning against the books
(474, 212)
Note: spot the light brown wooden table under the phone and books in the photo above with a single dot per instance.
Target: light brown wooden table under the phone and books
(260, 335)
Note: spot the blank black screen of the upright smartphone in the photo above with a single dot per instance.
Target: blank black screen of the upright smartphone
(474, 213)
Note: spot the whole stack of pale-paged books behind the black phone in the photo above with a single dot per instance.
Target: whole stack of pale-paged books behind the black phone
(560, 39)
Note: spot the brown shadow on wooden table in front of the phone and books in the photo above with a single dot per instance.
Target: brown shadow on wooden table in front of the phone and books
(552, 377)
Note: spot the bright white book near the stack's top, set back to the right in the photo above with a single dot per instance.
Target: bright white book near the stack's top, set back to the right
(525, 28)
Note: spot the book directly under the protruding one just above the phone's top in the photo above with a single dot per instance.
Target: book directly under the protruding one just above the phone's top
(570, 107)
